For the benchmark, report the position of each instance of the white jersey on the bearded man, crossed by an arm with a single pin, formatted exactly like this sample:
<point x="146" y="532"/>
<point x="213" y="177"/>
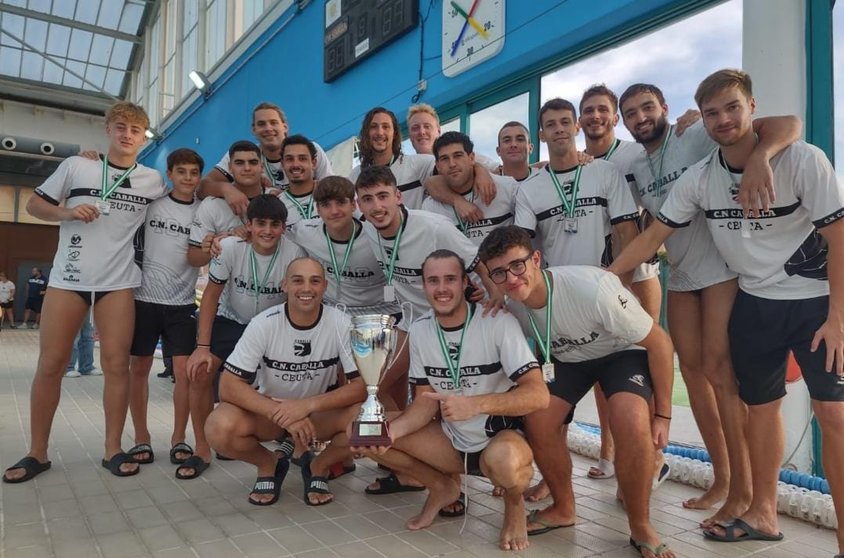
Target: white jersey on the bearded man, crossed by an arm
<point x="694" y="261"/>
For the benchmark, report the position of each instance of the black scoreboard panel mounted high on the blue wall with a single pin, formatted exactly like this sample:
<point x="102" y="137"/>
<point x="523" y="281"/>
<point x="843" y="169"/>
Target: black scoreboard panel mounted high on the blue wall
<point x="355" y="29"/>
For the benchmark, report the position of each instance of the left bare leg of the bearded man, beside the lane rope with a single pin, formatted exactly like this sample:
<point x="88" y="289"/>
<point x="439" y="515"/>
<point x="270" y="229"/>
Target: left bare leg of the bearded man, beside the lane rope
<point x="685" y="325"/>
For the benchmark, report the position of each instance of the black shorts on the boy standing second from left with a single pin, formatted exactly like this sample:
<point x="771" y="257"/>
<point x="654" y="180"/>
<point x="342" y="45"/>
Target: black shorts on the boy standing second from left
<point x="176" y="325"/>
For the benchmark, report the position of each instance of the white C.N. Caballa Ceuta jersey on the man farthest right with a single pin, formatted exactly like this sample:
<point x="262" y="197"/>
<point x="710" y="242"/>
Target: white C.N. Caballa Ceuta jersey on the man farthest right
<point x="780" y="255"/>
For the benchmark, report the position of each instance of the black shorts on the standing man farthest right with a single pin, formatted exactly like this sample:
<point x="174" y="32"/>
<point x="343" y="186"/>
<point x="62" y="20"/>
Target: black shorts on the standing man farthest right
<point x="762" y="331"/>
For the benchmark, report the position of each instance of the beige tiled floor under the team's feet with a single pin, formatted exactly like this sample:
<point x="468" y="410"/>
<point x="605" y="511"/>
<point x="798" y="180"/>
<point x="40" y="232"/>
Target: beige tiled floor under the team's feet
<point x="77" y="509"/>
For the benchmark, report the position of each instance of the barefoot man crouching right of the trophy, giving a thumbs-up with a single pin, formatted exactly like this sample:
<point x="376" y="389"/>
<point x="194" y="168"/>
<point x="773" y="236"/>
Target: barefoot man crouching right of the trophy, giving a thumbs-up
<point x="478" y="375"/>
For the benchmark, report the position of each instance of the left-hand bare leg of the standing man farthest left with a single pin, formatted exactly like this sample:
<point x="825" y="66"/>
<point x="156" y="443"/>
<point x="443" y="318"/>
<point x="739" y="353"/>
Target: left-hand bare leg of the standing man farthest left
<point x="64" y="310"/>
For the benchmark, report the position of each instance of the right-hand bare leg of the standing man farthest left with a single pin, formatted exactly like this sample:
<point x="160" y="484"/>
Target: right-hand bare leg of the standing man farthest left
<point x="115" y="318"/>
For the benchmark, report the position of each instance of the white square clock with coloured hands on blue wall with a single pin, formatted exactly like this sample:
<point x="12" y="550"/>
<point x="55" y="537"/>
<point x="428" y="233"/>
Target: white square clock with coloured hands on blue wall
<point x="473" y="31"/>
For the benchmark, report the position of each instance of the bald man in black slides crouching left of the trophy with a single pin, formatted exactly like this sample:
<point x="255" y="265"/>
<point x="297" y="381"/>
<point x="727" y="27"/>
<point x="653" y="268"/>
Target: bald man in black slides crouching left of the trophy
<point x="282" y="378"/>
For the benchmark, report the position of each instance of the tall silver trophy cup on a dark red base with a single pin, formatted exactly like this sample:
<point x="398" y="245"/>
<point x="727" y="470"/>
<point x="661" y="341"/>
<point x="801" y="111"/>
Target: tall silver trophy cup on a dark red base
<point x="373" y="340"/>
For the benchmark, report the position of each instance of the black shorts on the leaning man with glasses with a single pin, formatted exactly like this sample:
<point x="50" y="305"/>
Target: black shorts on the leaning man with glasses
<point x="624" y="371"/>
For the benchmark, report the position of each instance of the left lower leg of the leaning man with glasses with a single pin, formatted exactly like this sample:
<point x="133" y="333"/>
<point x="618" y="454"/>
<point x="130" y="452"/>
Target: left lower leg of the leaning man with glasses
<point x="547" y="439"/>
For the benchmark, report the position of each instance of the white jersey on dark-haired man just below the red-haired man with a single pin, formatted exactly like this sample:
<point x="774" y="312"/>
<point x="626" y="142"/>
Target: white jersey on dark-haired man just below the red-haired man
<point x="499" y="213"/>
